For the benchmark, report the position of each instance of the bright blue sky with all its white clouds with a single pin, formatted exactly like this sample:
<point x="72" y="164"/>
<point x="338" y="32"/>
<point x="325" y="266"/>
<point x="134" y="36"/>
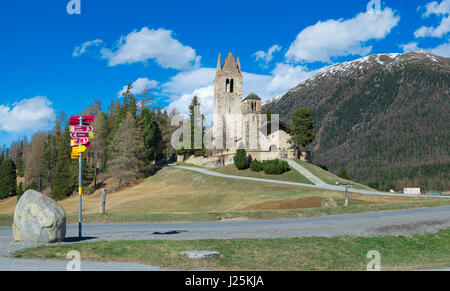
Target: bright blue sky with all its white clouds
<point x="52" y="61"/>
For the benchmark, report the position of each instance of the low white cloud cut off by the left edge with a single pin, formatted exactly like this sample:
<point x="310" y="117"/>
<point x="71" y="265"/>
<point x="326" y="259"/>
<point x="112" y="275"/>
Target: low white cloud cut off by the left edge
<point x="28" y="115"/>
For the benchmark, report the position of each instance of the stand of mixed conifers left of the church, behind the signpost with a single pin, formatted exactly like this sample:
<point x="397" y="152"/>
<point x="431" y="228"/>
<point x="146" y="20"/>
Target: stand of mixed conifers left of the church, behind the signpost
<point x="129" y="138"/>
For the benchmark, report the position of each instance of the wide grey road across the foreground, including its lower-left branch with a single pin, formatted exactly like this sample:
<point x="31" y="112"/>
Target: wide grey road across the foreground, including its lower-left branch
<point x="401" y="222"/>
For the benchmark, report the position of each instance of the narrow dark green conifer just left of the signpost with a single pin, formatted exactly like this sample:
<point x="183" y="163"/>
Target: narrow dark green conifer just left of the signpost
<point x="62" y="185"/>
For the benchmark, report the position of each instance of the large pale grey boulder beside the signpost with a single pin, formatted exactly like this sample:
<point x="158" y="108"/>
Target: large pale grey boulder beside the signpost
<point x="38" y="218"/>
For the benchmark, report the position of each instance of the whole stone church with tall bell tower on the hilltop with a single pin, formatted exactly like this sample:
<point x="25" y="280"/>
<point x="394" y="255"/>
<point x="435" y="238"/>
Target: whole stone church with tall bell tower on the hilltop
<point x="238" y="123"/>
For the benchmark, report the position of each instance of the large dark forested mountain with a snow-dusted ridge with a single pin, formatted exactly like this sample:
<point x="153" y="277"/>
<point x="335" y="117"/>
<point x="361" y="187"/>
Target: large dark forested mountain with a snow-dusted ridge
<point x="384" y="118"/>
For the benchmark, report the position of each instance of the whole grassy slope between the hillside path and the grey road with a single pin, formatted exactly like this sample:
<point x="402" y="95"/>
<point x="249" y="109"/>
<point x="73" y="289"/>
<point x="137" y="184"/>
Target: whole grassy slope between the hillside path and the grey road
<point x="180" y="195"/>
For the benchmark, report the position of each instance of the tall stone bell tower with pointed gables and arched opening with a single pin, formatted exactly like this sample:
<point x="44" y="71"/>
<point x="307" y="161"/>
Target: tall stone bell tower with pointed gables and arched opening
<point x="227" y="103"/>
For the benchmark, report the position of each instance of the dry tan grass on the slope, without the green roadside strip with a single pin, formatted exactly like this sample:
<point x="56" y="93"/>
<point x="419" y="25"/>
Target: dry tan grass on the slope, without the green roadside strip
<point x="179" y="191"/>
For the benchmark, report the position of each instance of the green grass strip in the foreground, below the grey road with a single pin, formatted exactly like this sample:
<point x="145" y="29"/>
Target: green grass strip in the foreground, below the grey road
<point x="430" y="251"/>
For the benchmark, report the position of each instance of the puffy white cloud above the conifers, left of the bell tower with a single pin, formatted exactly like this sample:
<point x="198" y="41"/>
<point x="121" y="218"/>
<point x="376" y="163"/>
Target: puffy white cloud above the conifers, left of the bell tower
<point x="159" y="45"/>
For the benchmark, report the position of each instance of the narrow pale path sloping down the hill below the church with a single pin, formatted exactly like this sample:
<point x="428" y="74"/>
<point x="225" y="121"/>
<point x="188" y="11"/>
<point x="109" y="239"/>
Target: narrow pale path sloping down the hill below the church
<point x="325" y="186"/>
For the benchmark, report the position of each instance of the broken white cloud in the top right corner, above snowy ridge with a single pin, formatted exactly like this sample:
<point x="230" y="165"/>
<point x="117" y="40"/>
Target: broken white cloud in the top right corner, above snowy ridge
<point x="433" y="8"/>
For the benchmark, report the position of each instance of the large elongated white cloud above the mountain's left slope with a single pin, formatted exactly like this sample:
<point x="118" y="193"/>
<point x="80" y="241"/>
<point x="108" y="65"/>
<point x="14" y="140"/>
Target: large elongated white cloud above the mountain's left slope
<point x="332" y="38"/>
